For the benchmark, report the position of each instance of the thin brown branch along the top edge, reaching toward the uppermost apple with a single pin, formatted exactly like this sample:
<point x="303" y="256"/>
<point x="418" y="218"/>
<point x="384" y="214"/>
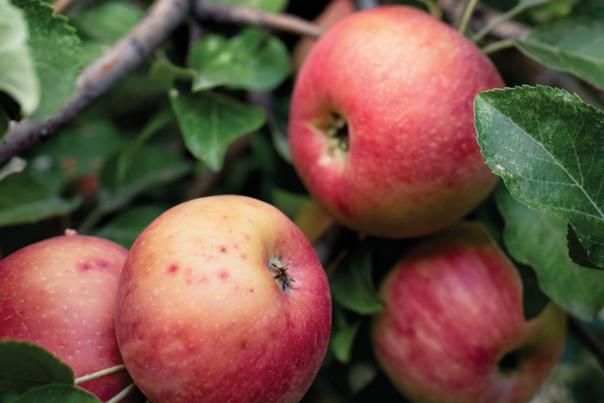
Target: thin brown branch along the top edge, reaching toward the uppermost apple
<point x="245" y="15"/>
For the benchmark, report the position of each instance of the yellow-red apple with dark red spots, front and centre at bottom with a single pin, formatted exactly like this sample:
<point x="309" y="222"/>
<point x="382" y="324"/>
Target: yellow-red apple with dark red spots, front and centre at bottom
<point x="200" y="317"/>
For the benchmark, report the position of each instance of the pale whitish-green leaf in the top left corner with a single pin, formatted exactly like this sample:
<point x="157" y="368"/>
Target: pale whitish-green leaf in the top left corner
<point x="18" y="77"/>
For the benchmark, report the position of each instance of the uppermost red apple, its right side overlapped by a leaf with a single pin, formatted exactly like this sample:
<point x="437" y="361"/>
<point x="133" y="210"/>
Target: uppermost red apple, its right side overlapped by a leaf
<point x="404" y="83"/>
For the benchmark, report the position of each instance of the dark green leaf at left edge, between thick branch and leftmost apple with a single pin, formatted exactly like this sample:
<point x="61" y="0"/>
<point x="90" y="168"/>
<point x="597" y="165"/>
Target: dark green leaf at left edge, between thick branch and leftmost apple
<point x="23" y="199"/>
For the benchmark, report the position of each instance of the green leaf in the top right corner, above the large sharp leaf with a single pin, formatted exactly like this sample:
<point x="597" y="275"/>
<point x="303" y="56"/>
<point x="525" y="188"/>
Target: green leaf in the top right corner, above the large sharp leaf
<point x="572" y="44"/>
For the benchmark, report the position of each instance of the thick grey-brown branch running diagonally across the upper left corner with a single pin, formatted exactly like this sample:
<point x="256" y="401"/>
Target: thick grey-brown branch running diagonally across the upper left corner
<point x="101" y="75"/>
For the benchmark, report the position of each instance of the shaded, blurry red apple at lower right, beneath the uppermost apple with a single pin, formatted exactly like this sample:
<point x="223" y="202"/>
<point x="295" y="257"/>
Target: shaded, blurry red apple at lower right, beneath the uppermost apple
<point x="453" y="310"/>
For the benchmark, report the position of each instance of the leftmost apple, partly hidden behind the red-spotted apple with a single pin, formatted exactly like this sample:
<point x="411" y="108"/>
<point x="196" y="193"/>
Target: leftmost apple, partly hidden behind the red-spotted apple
<point x="60" y="293"/>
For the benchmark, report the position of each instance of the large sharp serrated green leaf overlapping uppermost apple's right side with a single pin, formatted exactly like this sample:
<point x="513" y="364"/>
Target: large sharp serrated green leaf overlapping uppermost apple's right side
<point x="547" y="145"/>
